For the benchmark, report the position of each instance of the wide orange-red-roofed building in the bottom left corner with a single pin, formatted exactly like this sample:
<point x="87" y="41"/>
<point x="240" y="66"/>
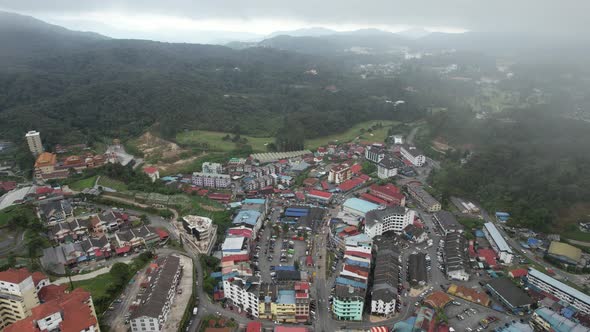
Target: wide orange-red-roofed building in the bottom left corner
<point x="61" y="311"/>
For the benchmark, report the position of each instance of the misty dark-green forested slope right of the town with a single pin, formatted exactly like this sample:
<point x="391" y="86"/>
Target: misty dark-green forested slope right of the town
<point x="533" y="164"/>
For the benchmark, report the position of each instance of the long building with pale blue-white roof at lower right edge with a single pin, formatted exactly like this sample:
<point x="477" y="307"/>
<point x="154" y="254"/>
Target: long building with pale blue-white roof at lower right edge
<point x="556" y="289"/>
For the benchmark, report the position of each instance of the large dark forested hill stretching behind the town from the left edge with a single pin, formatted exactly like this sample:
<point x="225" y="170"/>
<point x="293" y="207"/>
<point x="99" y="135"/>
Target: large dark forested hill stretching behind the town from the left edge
<point x="94" y="88"/>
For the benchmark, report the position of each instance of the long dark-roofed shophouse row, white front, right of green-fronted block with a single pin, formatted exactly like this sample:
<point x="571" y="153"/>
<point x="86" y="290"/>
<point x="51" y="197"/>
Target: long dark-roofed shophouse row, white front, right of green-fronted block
<point x="385" y="295"/>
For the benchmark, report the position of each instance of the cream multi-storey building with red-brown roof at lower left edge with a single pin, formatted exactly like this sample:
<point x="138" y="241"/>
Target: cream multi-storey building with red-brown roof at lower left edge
<point x="18" y="296"/>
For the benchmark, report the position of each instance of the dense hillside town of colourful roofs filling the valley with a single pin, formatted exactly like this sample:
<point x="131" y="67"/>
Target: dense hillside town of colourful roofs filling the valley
<point x="348" y="237"/>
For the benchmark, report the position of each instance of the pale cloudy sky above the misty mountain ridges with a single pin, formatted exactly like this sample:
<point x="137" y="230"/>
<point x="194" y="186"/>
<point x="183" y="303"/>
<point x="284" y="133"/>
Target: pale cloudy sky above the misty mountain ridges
<point x="211" y="20"/>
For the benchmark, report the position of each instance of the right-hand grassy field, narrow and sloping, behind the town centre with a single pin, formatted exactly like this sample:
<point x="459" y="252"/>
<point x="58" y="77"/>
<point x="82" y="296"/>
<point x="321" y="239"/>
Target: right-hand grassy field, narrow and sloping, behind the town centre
<point x="353" y="133"/>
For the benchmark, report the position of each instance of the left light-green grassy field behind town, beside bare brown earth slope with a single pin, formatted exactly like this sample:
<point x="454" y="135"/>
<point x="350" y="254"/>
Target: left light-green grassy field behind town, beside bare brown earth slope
<point x="216" y="143"/>
